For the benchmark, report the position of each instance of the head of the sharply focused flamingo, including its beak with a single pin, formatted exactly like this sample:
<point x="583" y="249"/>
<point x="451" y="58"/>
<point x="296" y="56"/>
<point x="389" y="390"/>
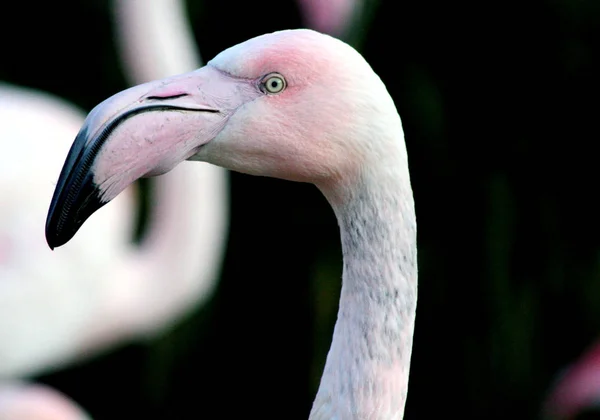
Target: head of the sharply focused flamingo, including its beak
<point x="295" y="104"/>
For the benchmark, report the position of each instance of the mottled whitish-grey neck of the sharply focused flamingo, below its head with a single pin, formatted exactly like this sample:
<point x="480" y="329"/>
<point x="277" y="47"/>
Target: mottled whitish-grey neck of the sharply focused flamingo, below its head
<point x="366" y="373"/>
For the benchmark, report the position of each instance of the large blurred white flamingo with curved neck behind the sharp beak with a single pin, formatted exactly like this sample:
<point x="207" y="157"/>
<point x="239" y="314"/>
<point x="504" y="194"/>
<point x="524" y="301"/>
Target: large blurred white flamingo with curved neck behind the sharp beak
<point x="57" y="308"/>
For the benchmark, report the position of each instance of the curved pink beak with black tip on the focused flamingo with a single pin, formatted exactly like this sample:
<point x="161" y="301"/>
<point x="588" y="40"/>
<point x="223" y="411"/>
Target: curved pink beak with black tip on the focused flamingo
<point x="142" y="131"/>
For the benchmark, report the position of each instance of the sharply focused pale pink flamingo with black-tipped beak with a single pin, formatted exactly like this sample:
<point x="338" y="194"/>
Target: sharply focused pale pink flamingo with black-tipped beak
<point x="301" y="106"/>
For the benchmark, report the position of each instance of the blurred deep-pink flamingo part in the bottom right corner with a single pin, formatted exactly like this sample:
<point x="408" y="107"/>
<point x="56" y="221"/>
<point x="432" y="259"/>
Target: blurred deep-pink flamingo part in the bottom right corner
<point x="577" y="389"/>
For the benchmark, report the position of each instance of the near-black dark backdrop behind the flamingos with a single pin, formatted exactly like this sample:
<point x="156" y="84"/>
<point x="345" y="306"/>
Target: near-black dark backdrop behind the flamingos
<point x="499" y="105"/>
